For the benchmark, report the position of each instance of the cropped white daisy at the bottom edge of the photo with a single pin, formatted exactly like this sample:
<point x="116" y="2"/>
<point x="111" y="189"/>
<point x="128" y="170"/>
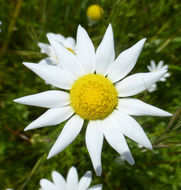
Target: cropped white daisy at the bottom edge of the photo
<point x="72" y="182"/>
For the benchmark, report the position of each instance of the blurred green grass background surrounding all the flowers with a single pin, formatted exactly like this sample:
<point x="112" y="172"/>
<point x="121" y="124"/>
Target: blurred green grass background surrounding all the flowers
<point x="23" y="154"/>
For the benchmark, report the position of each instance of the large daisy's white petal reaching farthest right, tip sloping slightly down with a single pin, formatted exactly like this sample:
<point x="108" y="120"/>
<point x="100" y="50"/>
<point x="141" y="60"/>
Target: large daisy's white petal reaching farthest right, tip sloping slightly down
<point x="136" y="107"/>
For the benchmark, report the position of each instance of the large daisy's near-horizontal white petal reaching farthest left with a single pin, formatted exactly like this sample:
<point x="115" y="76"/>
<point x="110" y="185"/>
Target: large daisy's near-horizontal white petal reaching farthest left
<point x="48" y="99"/>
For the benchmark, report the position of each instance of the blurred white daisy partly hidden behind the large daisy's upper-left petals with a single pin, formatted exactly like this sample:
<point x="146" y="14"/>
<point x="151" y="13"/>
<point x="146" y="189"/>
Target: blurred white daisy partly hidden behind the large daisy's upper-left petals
<point x="68" y="42"/>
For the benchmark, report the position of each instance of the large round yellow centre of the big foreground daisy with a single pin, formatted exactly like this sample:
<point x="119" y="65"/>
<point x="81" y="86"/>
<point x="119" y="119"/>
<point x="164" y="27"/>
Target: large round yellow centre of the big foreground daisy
<point x="93" y="97"/>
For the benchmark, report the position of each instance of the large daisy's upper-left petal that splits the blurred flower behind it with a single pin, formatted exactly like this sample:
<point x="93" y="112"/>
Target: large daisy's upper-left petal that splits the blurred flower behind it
<point x="66" y="59"/>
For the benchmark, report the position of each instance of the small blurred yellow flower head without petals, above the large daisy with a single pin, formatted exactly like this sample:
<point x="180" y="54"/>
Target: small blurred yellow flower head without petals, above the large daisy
<point x="94" y="12"/>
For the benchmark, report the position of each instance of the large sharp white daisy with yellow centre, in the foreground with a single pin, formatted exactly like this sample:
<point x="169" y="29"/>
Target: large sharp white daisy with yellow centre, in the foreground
<point x="97" y="92"/>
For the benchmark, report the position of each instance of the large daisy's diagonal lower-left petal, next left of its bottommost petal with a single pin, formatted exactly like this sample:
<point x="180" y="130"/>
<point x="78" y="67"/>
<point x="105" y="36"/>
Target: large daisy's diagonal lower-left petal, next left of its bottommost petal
<point x="70" y="131"/>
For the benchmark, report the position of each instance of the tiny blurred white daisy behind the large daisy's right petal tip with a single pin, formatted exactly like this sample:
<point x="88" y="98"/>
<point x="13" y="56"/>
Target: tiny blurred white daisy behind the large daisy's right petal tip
<point x="156" y="68"/>
